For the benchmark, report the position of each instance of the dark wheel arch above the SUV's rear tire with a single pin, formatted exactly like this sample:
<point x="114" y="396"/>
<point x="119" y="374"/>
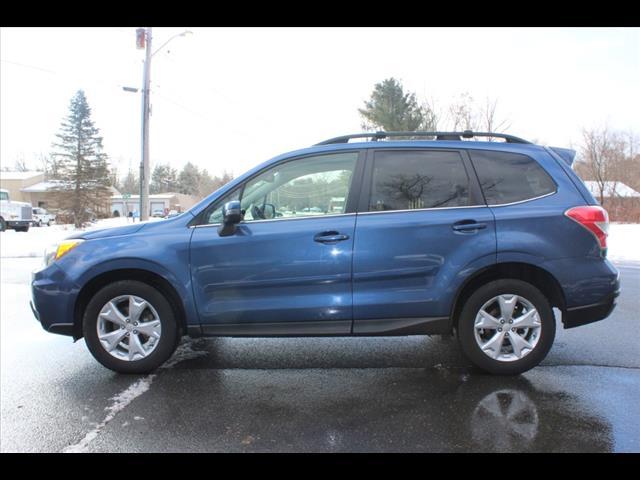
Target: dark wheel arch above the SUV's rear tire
<point x="540" y="278"/>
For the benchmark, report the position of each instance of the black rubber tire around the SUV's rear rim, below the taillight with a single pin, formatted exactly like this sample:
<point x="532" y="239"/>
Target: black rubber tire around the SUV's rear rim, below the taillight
<point x="466" y="330"/>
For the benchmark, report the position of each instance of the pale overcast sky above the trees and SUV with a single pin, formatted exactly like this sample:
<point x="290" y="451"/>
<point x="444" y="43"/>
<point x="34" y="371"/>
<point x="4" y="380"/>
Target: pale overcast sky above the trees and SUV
<point x="229" y="98"/>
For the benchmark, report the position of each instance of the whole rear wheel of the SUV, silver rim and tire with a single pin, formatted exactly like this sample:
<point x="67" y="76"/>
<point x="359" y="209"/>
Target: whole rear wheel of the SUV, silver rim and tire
<point x="506" y="327"/>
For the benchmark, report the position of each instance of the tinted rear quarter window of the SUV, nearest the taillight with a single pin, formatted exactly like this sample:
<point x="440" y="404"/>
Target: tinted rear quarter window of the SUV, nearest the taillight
<point x="510" y="177"/>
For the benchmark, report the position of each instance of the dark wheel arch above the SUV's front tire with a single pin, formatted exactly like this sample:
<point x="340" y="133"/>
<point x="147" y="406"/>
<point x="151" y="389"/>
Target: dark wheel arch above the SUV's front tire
<point x="101" y="280"/>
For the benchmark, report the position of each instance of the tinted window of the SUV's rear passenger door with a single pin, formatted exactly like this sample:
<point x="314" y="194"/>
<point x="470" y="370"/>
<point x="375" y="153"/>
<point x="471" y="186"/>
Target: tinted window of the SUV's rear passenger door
<point x="418" y="179"/>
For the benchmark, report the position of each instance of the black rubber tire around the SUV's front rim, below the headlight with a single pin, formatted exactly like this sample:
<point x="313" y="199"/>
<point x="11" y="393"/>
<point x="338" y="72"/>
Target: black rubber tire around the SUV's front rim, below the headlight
<point x="169" y="337"/>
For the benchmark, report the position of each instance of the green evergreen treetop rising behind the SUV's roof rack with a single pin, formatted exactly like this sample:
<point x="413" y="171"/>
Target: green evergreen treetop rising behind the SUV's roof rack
<point x="391" y="109"/>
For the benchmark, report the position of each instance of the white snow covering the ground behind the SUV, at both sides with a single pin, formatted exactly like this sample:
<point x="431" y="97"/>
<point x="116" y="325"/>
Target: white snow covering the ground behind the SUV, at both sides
<point x="624" y="239"/>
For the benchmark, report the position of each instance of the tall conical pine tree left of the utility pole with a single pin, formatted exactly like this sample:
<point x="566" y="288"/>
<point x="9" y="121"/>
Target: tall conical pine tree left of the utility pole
<point x="82" y="175"/>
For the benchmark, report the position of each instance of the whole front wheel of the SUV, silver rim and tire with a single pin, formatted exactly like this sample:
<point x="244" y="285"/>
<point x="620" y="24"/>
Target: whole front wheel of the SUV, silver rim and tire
<point x="130" y="327"/>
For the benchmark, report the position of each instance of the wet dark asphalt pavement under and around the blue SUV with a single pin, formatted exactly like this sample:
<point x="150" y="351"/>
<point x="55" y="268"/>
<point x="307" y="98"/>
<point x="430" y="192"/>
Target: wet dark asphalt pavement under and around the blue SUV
<point x="318" y="394"/>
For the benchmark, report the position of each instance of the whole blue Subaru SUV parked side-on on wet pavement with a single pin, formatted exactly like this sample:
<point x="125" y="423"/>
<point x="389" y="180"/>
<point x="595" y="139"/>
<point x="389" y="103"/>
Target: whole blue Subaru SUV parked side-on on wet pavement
<point x="432" y="233"/>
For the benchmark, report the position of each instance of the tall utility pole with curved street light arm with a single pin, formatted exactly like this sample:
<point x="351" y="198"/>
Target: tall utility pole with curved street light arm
<point x="143" y="40"/>
